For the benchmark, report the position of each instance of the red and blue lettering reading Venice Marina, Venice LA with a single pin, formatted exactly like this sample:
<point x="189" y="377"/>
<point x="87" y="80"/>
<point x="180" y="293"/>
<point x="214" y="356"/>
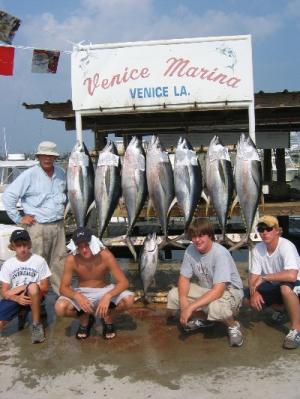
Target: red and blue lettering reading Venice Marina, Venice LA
<point x="175" y="67"/>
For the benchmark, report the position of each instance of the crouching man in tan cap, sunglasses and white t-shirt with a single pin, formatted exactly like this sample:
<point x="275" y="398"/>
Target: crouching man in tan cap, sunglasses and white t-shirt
<point x="274" y="276"/>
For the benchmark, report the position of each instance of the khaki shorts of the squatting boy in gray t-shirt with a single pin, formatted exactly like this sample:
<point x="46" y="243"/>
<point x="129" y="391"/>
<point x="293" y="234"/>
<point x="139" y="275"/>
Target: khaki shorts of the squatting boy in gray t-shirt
<point x="221" y="309"/>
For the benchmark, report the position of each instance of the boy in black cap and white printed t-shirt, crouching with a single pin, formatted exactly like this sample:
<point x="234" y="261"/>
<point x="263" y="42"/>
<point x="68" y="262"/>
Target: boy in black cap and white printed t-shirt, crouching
<point x="24" y="279"/>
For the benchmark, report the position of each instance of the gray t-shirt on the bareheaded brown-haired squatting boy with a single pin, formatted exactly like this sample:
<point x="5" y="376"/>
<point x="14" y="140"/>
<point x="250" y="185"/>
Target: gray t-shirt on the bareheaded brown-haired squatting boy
<point x="216" y="266"/>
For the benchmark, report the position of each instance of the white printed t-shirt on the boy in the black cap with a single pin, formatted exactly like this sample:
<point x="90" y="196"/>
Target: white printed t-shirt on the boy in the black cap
<point x="16" y="273"/>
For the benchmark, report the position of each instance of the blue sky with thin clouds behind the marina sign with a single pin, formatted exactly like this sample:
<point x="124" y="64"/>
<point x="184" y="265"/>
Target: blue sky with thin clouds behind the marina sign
<point x="57" y="25"/>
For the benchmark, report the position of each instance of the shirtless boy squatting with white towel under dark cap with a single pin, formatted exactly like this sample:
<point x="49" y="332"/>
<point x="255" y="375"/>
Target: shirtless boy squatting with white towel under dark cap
<point x="94" y="296"/>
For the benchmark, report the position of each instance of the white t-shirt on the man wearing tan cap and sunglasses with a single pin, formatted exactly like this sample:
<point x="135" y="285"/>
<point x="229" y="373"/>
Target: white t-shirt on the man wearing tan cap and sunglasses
<point x="285" y="257"/>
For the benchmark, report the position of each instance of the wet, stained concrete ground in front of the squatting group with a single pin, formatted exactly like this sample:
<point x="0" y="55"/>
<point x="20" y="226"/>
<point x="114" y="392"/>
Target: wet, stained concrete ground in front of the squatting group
<point x="150" y="358"/>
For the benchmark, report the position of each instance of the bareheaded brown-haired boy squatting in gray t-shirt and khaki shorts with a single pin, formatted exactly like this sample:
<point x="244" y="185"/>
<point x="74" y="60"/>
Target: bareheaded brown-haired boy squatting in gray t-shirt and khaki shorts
<point x="219" y="292"/>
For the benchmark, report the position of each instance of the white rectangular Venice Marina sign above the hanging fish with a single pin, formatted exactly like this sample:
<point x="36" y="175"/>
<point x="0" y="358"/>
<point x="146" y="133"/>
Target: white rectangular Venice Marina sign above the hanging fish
<point x="133" y="76"/>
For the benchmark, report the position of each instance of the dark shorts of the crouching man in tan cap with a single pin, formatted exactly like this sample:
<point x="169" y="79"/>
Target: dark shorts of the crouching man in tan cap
<point x="271" y="292"/>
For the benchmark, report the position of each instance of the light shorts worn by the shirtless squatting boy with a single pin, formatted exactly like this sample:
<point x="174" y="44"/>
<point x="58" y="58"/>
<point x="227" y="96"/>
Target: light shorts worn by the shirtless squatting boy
<point x="95" y="294"/>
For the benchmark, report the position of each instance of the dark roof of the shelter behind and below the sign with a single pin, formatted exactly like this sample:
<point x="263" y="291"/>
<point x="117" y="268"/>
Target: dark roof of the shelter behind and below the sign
<point x="274" y="112"/>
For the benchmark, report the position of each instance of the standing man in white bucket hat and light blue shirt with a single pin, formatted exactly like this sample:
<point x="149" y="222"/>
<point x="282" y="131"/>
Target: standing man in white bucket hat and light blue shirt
<point x="41" y="190"/>
